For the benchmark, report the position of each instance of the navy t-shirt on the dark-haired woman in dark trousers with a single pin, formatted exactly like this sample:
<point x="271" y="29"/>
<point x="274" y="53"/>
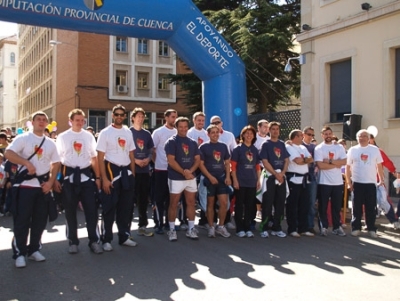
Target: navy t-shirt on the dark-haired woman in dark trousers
<point x="246" y="158"/>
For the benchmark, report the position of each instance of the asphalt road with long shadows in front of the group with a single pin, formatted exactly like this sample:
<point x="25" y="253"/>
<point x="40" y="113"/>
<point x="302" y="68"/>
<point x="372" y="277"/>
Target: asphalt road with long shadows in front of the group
<point x="319" y="268"/>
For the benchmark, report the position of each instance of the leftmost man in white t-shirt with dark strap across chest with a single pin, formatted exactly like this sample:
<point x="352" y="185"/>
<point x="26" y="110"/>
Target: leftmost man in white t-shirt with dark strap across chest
<point x="30" y="205"/>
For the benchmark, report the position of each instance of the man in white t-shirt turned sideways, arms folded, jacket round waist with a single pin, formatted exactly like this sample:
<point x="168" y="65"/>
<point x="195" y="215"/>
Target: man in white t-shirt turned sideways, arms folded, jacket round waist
<point x="297" y="177"/>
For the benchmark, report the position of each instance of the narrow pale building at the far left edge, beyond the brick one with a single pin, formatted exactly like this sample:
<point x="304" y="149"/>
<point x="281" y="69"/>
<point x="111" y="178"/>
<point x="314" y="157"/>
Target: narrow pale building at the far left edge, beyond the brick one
<point x="8" y="82"/>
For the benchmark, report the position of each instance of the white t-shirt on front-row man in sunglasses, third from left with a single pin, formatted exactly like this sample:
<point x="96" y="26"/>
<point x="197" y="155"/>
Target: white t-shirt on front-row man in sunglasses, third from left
<point x="116" y="144"/>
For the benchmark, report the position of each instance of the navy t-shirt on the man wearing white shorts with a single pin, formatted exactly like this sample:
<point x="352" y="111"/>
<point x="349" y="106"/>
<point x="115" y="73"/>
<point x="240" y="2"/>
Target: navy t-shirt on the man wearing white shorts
<point x="184" y="149"/>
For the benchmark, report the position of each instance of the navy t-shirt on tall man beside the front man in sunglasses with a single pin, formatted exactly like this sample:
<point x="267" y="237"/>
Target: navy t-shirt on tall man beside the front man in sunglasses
<point x="144" y="143"/>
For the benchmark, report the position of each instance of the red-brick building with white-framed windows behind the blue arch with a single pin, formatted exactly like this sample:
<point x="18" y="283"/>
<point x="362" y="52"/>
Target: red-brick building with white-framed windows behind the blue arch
<point x="95" y="72"/>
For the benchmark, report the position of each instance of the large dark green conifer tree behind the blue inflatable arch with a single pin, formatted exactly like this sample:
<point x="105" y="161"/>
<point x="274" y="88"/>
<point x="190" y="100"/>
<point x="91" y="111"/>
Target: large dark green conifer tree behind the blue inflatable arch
<point x="262" y="33"/>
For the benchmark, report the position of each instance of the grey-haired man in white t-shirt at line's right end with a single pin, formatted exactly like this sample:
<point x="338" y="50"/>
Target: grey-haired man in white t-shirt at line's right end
<point x="364" y="162"/>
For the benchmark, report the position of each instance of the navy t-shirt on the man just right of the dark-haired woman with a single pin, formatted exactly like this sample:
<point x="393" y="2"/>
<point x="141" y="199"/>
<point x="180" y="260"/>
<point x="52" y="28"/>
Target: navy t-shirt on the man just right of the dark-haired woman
<point x="275" y="152"/>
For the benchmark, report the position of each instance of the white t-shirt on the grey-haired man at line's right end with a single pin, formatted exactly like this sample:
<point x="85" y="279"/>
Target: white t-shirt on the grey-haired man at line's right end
<point x="363" y="161"/>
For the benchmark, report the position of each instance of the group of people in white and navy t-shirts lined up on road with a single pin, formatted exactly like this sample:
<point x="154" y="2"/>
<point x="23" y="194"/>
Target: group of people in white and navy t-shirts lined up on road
<point x="176" y="167"/>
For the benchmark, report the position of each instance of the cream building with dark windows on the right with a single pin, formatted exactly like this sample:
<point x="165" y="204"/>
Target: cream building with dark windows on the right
<point x="352" y="51"/>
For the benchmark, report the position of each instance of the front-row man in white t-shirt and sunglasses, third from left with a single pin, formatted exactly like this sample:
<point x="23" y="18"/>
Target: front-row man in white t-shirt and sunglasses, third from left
<point x="115" y="148"/>
